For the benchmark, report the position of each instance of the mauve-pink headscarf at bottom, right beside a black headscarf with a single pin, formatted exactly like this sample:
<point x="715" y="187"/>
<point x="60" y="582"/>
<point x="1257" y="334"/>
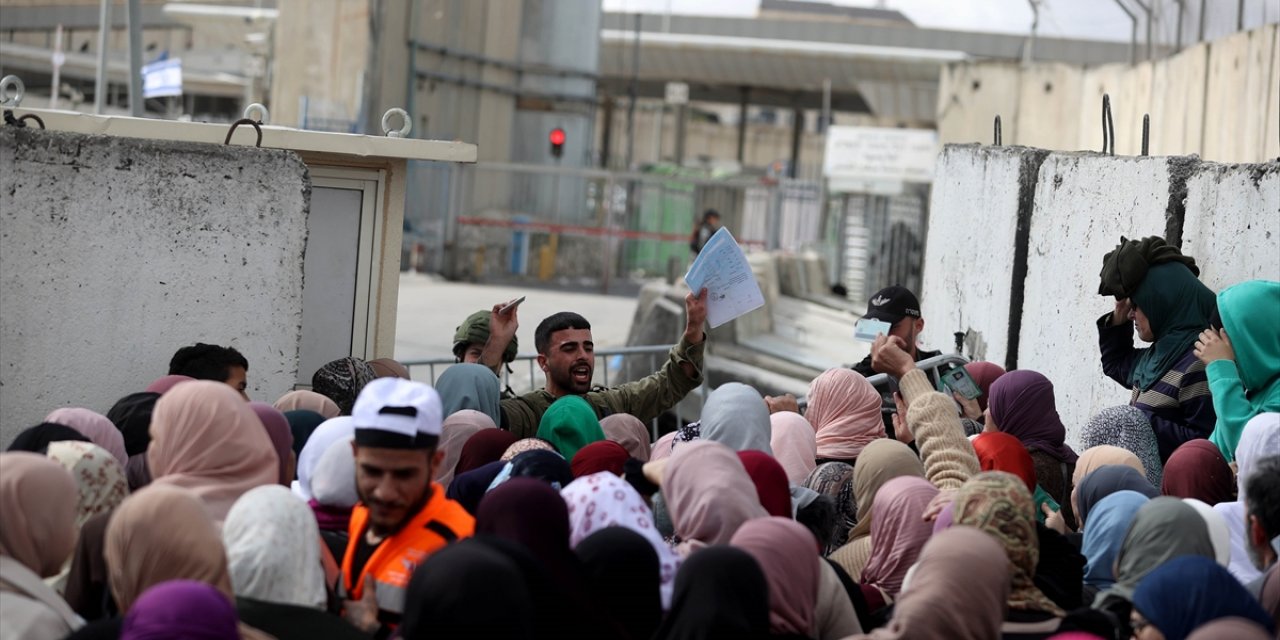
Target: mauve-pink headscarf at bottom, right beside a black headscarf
<point x="788" y="554"/>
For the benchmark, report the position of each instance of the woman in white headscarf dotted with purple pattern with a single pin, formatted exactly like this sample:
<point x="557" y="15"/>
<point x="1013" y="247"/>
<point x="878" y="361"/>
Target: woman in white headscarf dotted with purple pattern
<point x="601" y="501"/>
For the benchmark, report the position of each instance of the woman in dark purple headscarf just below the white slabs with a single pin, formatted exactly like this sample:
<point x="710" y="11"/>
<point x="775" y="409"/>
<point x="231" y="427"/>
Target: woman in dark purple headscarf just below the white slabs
<point x="1022" y="405"/>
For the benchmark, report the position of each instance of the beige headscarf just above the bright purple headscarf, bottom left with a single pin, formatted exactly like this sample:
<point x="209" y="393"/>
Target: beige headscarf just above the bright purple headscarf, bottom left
<point x="161" y="534"/>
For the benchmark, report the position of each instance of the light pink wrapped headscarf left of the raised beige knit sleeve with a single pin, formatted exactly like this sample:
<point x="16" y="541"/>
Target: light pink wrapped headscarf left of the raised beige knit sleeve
<point x="845" y="410"/>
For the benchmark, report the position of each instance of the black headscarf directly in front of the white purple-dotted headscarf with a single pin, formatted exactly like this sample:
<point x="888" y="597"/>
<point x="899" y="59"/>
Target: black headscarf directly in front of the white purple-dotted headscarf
<point x="624" y="575"/>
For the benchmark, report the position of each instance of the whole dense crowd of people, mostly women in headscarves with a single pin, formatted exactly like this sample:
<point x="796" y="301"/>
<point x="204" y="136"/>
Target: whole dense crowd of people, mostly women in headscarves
<point x="374" y="506"/>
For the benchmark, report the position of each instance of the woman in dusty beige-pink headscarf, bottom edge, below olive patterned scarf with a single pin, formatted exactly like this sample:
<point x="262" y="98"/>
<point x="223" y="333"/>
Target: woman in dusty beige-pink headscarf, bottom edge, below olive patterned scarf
<point x="958" y="591"/>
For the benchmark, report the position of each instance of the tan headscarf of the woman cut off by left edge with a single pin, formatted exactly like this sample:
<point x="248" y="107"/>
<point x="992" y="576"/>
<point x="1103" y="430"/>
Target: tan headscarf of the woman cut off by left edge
<point x="38" y="502"/>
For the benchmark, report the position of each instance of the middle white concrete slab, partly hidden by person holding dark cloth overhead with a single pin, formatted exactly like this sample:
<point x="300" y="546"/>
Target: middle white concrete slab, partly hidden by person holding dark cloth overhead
<point x="1084" y="204"/>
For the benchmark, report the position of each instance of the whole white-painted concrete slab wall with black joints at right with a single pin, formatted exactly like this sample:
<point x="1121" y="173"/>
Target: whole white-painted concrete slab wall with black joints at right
<point x="1017" y="239"/>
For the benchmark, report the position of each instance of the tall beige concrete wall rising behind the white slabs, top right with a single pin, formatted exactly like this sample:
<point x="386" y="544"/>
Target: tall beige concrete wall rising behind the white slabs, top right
<point x="1220" y="100"/>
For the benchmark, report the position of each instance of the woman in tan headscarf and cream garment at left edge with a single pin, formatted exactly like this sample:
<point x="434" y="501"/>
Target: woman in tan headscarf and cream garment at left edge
<point x="38" y="500"/>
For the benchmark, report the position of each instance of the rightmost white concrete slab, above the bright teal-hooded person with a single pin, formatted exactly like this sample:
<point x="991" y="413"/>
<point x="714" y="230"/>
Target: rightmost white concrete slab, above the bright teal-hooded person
<point x="1233" y="223"/>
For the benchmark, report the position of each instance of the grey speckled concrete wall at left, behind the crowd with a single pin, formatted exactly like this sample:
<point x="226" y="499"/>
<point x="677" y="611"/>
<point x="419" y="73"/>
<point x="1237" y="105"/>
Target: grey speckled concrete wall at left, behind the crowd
<point x="118" y="252"/>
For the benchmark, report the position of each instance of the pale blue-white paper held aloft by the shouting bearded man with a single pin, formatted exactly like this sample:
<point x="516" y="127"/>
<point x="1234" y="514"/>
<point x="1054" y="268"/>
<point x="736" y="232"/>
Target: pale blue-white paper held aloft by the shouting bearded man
<point x="724" y="271"/>
